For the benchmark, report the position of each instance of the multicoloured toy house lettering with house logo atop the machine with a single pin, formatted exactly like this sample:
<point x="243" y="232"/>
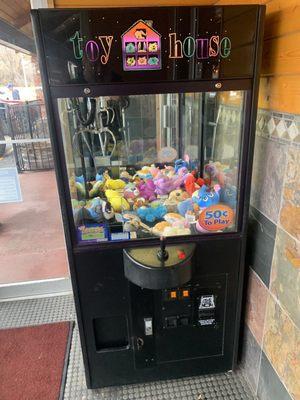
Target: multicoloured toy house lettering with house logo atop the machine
<point x="142" y="47"/>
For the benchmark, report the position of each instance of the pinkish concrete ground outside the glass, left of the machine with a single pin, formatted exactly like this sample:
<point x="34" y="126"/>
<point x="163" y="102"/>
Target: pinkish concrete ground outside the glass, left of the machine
<point x="31" y="251"/>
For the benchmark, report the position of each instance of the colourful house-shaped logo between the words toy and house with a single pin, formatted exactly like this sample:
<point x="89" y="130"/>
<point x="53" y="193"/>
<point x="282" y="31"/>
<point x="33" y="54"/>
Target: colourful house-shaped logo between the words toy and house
<point x="141" y="48"/>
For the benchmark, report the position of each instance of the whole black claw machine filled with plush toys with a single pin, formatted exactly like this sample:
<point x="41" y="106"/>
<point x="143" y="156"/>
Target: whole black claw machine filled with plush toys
<point x="152" y="116"/>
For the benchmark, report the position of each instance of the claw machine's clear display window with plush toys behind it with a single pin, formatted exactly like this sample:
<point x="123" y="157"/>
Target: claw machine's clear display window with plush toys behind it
<point x="142" y="166"/>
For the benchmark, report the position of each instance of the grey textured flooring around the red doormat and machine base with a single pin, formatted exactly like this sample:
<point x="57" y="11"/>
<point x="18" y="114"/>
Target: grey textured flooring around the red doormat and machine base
<point x="228" y="386"/>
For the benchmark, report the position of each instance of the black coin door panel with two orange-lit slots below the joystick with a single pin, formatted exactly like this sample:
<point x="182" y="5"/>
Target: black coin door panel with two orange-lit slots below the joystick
<point x="178" y="323"/>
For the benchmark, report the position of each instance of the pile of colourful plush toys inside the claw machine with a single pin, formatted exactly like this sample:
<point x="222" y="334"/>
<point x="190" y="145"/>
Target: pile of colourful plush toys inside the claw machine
<point x="161" y="201"/>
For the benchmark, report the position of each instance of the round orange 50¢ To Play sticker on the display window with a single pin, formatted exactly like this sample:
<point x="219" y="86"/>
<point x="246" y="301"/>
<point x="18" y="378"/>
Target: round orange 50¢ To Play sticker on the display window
<point x="216" y="217"/>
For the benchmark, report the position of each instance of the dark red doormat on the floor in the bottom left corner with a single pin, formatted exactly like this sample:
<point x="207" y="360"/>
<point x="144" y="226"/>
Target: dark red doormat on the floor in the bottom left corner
<point x="34" y="360"/>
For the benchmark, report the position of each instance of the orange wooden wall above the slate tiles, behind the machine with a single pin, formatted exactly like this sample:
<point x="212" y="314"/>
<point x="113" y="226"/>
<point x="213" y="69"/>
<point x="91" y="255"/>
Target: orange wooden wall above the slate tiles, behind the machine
<point x="280" y="82"/>
